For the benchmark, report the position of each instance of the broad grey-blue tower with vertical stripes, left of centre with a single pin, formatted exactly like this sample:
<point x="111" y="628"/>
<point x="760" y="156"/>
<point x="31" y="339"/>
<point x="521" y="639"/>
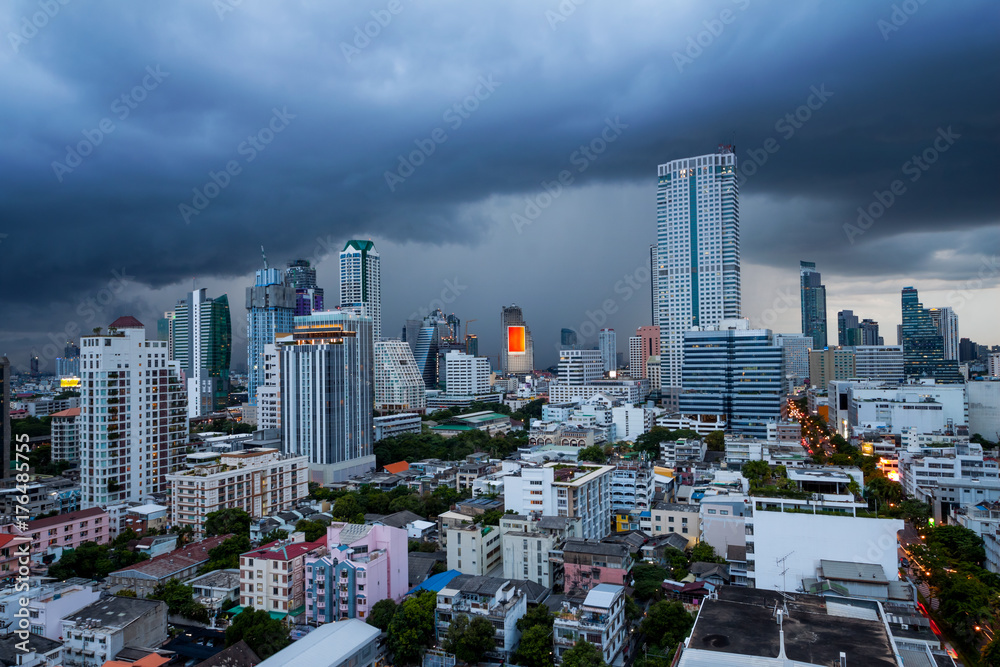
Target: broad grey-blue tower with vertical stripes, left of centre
<point x="328" y="393"/>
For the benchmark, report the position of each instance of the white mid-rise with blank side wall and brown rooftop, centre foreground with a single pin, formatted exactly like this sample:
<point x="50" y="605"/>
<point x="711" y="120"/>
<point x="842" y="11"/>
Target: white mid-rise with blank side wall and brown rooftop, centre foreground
<point x="574" y="491"/>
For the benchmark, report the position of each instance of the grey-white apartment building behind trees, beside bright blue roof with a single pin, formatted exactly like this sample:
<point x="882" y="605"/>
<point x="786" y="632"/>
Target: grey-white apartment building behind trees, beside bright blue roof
<point x="495" y="599"/>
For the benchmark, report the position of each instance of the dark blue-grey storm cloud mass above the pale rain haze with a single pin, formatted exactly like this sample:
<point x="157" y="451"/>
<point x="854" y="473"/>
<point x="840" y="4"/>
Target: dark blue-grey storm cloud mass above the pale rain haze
<point x="682" y="77"/>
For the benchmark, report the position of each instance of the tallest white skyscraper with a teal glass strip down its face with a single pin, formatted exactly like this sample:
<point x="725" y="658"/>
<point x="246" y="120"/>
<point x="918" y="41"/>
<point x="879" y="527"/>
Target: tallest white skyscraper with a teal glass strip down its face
<point x="698" y="252"/>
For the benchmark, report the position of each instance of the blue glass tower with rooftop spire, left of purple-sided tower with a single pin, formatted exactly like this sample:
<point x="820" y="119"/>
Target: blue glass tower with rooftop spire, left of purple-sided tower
<point x="270" y="311"/>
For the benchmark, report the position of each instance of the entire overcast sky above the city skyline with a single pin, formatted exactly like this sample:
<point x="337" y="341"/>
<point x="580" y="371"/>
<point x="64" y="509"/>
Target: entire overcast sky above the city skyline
<point x="148" y="147"/>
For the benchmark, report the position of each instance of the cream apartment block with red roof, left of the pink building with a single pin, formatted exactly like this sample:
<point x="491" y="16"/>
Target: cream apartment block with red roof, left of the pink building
<point x="272" y="578"/>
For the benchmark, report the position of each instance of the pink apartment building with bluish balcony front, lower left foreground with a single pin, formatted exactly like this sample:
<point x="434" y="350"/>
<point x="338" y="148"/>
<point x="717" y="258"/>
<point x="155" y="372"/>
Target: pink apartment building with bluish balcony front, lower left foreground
<point x="362" y="564"/>
